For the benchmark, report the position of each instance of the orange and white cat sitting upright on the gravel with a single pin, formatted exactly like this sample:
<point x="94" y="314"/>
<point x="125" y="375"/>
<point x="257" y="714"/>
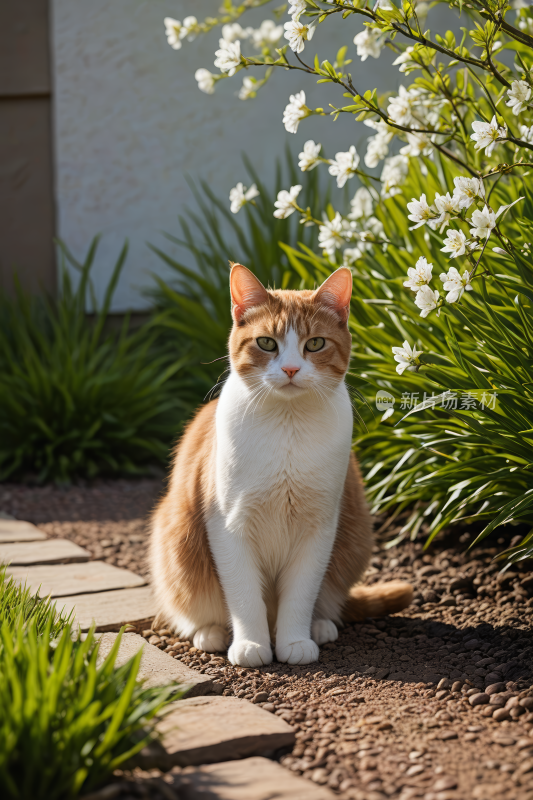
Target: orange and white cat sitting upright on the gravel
<point x="264" y="529"/>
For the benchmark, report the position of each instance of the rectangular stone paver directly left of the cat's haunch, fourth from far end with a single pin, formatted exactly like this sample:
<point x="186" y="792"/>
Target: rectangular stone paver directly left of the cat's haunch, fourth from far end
<point x="111" y="610"/>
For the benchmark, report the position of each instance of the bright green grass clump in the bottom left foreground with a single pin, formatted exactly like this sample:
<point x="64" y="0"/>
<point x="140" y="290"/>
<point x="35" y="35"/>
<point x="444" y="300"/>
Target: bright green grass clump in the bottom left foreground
<point x="67" y="723"/>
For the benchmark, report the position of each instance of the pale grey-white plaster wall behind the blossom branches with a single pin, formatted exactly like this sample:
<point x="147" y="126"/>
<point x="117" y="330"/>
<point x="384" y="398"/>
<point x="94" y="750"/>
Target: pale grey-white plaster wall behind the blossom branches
<point x="131" y="123"/>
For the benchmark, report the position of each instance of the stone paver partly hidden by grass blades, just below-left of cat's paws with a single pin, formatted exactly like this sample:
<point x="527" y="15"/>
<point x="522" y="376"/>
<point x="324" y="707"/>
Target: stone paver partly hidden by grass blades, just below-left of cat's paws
<point x="157" y="668"/>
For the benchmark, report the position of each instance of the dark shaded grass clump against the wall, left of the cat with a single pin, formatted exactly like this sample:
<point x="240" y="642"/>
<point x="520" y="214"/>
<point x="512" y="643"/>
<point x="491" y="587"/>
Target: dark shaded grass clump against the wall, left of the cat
<point x="77" y="399"/>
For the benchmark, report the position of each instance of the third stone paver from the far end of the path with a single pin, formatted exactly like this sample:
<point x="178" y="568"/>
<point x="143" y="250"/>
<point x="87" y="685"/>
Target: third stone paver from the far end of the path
<point x="74" y="579"/>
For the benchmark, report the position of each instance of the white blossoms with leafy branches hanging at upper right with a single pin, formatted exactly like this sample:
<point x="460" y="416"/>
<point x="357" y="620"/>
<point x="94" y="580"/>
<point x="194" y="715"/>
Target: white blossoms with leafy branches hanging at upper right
<point x="435" y="121"/>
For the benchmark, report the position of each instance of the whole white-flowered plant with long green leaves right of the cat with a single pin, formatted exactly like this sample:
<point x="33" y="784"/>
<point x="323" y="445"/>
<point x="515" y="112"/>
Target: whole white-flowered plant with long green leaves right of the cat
<point x="438" y="235"/>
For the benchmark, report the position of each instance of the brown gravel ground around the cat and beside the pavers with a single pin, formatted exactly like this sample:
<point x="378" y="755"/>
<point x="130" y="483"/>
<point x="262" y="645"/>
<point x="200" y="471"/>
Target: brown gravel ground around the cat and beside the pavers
<point x="434" y="703"/>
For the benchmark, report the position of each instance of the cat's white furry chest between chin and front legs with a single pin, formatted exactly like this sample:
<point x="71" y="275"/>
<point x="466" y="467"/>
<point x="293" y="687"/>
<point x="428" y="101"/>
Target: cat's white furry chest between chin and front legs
<point x="280" y="465"/>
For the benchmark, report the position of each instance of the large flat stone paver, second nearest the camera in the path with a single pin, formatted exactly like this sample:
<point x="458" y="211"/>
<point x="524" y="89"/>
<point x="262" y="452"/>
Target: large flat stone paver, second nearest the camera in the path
<point x="208" y="729"/>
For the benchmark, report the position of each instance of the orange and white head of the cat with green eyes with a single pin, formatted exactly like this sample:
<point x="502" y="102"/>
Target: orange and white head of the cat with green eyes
<point x="290" y="341"/>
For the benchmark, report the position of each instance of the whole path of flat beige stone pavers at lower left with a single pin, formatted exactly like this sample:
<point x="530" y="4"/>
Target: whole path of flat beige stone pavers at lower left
<point x="202" y="729"/>
